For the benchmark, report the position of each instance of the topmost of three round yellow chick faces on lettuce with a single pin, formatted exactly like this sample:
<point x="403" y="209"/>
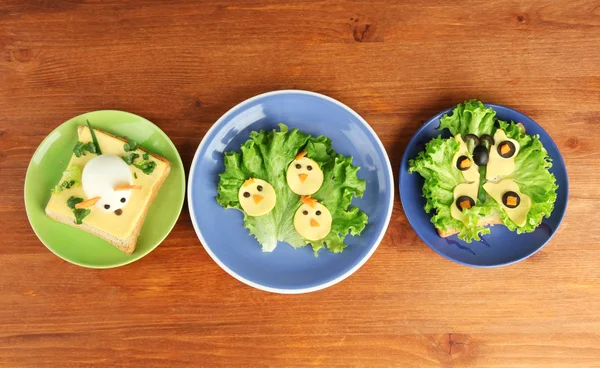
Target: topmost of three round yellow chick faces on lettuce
<point x="304" y="176"/>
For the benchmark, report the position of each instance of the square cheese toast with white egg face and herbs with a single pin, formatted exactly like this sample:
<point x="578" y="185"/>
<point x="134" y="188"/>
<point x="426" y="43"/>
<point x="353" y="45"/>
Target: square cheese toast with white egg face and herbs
<point x="108" y="187"/>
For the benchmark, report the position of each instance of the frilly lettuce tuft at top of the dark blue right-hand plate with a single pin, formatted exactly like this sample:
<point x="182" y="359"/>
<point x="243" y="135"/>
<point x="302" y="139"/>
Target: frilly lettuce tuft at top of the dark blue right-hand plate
<point x="472" y="117"/>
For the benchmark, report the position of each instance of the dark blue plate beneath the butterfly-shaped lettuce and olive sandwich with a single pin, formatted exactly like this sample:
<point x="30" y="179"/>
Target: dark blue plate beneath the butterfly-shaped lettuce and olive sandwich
<point x="501" y="247"/>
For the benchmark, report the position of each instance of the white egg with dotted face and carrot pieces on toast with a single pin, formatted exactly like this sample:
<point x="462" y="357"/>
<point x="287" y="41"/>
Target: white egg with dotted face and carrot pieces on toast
<point x="107" y="182"/>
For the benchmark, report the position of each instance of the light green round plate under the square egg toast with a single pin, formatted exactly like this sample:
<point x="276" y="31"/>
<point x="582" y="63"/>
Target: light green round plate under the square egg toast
<point x="50" y="160"/>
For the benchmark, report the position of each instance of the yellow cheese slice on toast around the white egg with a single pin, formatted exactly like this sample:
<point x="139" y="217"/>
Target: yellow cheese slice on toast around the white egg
<point x="119" y="226"/>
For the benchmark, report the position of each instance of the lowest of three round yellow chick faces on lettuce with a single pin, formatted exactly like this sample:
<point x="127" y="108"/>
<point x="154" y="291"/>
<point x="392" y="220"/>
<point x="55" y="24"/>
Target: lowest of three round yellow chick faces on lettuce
<point x="312" y="220"/>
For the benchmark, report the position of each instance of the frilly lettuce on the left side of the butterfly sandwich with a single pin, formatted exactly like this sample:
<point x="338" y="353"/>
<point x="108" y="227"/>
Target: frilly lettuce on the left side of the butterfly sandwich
<point x="436" y="167"/>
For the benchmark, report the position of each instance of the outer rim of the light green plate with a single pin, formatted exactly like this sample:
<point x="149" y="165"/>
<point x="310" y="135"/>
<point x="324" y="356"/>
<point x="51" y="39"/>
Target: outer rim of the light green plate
<point x="129" y="261"/>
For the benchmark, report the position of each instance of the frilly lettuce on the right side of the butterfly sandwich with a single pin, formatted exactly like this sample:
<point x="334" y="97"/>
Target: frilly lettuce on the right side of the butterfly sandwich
<point x="533" y="177"/>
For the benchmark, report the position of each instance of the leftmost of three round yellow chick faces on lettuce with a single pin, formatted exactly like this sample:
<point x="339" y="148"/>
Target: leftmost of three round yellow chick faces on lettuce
<point x="257" y="197"/>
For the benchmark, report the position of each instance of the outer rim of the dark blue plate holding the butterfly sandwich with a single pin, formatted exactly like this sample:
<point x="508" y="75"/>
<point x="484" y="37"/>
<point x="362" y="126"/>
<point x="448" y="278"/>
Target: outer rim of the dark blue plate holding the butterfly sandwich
<point x="404" y="171"/>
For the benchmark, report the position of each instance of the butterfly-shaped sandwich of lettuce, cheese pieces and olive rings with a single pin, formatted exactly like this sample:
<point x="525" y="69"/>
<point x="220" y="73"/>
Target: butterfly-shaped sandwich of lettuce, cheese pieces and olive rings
<point x="489" y="172"/>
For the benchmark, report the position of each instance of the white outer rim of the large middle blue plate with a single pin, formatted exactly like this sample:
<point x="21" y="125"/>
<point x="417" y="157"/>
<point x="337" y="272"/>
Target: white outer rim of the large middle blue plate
<point x="284" y="290"/>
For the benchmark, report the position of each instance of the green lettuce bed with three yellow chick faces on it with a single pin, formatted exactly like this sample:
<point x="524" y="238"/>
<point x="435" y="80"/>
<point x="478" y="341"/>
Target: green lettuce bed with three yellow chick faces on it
<point x="293" y="188"/>
